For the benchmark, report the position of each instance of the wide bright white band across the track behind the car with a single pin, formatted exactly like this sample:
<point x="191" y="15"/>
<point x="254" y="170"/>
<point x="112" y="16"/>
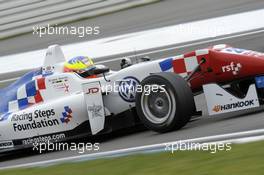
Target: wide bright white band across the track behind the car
<point x="149" y="39"/>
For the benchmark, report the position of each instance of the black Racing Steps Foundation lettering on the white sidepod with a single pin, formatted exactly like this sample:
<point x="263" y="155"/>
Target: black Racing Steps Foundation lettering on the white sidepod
<point x="34" y="120"/>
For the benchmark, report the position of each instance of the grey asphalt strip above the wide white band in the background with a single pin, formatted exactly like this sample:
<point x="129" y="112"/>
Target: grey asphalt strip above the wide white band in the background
<point x="164" y="13"/>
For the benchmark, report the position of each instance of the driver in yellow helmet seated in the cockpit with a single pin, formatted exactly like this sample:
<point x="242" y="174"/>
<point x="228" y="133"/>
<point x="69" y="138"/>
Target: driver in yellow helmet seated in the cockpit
<point x="82" y="65"/>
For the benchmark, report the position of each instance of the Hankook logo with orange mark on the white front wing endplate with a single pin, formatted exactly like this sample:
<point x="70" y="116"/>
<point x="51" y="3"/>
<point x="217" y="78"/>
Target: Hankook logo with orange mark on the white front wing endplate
<point x="240" y="104"/>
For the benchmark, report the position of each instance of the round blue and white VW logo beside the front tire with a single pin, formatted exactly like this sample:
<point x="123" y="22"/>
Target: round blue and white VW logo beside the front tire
<point x="127" y="88"/>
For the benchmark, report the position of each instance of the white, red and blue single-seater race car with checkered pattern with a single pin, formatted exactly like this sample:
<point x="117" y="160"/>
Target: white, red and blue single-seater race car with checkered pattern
<point x="63" y="99"/>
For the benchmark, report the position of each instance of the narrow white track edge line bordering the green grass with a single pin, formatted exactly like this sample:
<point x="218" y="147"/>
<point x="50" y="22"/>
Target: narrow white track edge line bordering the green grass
<point x="237" y="137"/>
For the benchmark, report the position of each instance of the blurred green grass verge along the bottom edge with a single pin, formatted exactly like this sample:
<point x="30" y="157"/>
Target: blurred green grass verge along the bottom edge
<point x="242" y="159"/>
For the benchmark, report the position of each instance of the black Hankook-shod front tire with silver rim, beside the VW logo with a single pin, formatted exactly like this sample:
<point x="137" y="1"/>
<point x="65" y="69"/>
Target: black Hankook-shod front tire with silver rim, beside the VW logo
<point x="170" y="107"/>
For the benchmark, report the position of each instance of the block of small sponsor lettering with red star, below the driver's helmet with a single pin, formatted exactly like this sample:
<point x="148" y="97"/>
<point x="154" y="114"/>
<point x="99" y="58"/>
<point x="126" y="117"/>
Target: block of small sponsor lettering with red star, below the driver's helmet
<point x="60" y="84"/>
